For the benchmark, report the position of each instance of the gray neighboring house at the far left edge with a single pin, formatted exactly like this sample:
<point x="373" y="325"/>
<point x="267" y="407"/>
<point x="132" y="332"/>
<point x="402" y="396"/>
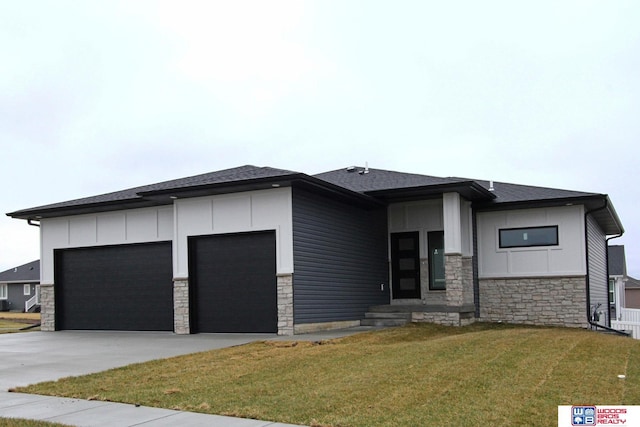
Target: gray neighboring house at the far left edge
<point x="20" y="285"/>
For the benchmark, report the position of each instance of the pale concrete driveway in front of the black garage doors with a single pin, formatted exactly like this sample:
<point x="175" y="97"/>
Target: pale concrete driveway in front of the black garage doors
<point x="33" y="357"/>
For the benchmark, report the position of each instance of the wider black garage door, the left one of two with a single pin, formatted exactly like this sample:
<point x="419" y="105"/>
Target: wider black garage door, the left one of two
<point x="126" y="288"/>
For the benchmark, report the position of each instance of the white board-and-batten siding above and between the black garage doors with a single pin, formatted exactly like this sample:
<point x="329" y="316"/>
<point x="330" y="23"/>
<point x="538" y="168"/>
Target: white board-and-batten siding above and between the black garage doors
<point x="241" y="212"/>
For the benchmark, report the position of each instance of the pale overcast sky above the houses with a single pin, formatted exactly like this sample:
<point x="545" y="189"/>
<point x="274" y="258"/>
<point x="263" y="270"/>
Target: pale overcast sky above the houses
<point x="99" y="96"/>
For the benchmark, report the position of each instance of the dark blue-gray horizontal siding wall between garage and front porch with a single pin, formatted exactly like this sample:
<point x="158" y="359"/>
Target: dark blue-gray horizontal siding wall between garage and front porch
<point x="340" y="259"/>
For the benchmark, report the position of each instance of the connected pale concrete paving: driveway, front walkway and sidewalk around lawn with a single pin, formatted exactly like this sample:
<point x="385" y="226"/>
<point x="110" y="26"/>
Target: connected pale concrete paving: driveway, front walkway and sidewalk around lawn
<point x="32" y="357"/>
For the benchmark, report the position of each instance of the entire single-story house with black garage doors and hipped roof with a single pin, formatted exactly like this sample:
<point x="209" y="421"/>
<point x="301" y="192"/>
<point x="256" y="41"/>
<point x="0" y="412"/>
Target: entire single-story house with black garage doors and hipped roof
<point x="258" y="249"/>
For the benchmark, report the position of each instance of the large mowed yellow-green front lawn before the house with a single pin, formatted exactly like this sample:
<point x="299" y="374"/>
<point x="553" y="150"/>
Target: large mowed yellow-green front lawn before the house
<point x="483" y="374"/>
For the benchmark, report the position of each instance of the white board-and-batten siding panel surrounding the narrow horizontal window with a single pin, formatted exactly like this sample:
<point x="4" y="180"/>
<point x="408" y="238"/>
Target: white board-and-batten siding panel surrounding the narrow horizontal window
<point x="565" y="259"/>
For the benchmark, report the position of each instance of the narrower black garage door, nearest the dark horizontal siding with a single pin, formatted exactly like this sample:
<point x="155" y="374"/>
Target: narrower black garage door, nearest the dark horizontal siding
<point x="233" y="282"/>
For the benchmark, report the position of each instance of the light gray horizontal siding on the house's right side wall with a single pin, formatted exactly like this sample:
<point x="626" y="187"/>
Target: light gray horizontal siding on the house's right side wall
<point x="597" y="258"/>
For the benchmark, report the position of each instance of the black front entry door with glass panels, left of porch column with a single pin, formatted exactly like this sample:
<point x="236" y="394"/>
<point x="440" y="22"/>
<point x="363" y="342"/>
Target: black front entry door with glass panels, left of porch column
<point x="405" y="265"/>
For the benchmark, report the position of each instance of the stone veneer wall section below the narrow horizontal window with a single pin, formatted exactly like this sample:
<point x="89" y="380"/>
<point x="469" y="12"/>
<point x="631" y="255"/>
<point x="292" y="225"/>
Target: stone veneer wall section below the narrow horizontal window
<point x="557" y="301"/>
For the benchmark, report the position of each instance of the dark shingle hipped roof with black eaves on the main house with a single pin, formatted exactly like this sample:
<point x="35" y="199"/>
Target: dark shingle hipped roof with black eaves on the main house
<point x="357" y="184"/>
